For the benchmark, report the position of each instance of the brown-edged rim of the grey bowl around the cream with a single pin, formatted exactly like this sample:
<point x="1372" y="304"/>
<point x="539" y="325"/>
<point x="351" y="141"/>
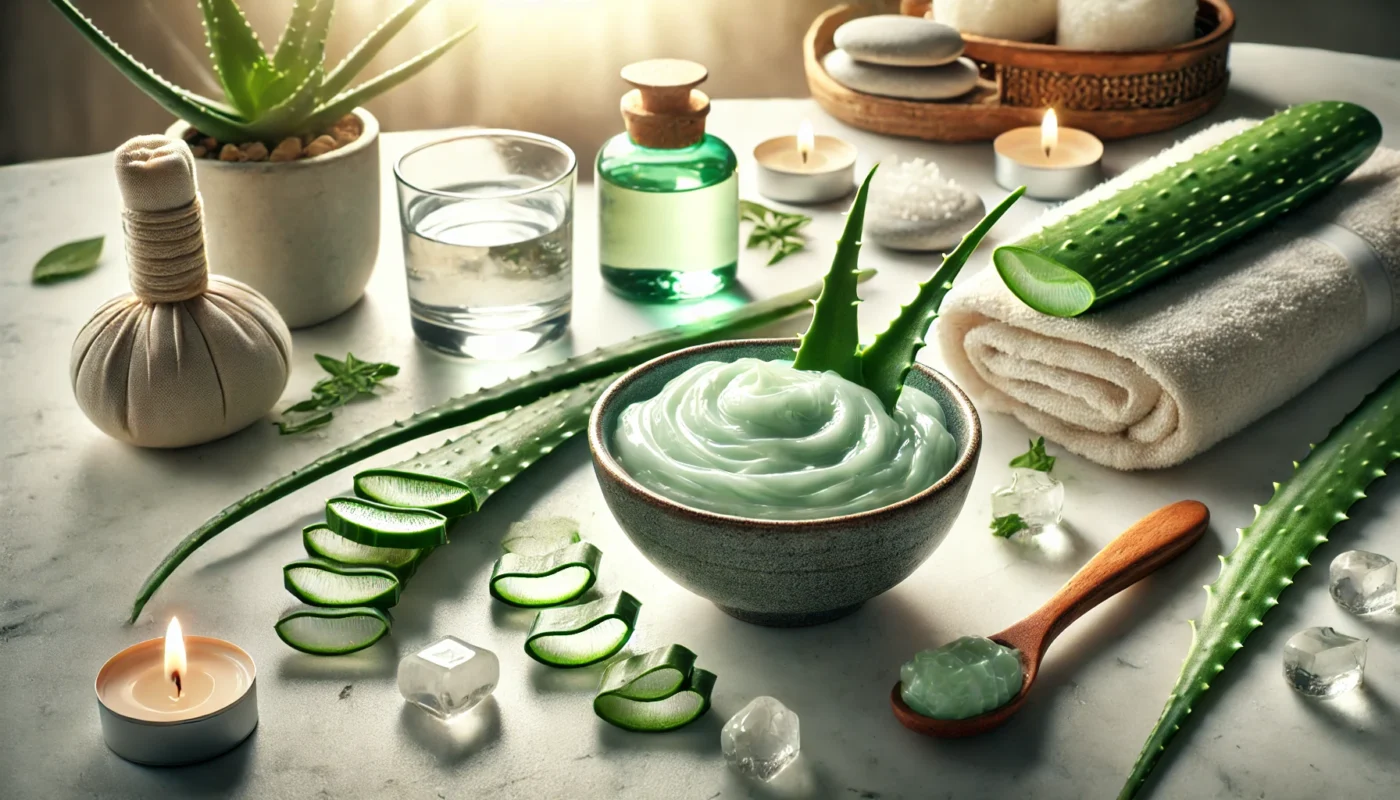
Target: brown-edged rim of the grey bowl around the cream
<point x="605" y="460"/>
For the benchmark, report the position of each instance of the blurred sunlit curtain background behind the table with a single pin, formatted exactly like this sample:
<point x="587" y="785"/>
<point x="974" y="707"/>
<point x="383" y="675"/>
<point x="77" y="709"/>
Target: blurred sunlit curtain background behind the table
<point x="548" y="67"/>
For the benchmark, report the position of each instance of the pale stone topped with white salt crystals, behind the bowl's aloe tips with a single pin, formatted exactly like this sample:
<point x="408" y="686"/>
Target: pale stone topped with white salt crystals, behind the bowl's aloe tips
<point x="912" y="207"/>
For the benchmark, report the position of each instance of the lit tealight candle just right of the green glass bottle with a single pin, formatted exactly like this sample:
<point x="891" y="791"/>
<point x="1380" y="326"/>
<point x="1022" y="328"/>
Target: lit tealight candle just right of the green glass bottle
<point x="806" y="169"/>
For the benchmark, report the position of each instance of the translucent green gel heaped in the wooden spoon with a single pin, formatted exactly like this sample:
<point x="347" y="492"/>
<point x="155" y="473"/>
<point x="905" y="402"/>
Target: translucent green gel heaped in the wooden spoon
<point x="964" y="679"/>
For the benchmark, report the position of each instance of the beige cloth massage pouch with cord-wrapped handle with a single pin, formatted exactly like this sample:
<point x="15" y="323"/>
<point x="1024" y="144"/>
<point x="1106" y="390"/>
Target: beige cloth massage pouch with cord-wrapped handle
<point x="185" y="358"/>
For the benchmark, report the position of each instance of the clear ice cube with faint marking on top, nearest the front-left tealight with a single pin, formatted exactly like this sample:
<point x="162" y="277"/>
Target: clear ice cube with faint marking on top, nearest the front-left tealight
<point x="449" y="677"/>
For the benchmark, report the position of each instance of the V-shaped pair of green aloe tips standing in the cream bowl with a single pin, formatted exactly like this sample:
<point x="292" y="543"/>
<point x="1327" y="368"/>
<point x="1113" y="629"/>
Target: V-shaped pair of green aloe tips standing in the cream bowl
<point x="832" y="343"/>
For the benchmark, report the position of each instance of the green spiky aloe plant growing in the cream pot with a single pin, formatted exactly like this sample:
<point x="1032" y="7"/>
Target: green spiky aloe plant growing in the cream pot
<point x="269" y="97"/>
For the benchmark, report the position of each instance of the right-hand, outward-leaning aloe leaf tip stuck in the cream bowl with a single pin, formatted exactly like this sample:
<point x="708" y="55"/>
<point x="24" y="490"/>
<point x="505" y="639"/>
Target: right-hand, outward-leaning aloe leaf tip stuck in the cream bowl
<point x="885" y="364"/>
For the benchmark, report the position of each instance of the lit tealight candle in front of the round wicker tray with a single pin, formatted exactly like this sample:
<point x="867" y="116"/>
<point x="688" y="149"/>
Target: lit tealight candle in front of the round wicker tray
<point x="1052" y="163"/>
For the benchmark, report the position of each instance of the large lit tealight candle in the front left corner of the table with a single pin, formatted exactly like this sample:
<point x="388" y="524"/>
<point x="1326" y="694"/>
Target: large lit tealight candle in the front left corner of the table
<point x="180" y="700"/>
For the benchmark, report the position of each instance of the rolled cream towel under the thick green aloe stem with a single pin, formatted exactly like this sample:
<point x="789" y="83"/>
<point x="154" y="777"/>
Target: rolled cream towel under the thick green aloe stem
<point x="1168" y="373"/>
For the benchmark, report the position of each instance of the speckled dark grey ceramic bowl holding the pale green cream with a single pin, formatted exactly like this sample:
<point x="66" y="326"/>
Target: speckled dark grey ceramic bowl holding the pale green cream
<point x="782" y="574"/>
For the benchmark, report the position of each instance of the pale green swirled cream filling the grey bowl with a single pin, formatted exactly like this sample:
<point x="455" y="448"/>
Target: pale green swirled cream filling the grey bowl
<point x="759" y="439"/>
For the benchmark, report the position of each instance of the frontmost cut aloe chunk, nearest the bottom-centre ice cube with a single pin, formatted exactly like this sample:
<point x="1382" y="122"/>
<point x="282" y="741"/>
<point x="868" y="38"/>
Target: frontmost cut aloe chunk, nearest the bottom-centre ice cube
<point x="654" y="693"/>
